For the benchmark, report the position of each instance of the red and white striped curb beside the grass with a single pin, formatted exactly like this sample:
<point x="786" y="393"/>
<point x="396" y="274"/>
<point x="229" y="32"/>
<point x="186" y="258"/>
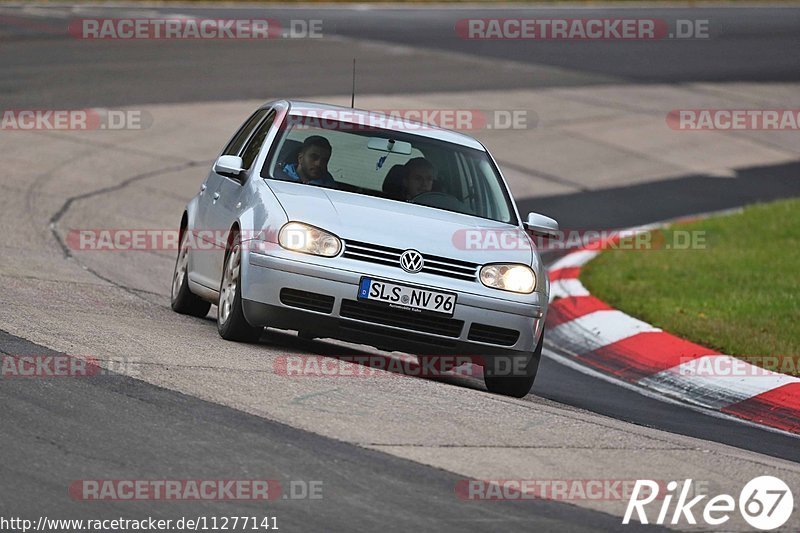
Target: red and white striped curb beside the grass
<point x="608" y="340"/>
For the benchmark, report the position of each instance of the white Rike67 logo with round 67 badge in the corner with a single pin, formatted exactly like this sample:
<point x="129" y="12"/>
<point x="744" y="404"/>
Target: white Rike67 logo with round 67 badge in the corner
<point x="765" y="503"/>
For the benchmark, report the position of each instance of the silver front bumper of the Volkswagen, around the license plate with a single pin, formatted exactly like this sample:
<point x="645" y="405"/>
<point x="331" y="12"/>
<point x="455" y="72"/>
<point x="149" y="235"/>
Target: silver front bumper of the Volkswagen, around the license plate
<point x="482" y="324"/>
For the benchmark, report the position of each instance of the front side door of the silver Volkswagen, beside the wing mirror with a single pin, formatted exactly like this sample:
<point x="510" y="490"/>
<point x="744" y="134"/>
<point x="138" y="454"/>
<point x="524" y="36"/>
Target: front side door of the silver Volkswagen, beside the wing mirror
<point x="232" y="195"/>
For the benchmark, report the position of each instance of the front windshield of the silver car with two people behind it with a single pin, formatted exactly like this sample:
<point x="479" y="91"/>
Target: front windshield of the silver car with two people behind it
<point x="392" y="164"/>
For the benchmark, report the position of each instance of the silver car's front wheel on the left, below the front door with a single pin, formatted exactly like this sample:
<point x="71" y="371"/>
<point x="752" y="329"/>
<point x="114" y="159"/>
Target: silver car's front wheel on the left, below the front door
<point x="231" y="323"/>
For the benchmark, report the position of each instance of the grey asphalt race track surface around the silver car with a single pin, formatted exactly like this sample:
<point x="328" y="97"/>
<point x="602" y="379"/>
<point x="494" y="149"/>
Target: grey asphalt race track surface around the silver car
<point x="389" y="451"/>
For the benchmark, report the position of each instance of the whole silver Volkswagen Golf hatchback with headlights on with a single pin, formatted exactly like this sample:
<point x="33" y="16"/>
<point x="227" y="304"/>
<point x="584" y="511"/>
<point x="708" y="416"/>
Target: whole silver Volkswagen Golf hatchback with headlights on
<point x="354" y="225"/>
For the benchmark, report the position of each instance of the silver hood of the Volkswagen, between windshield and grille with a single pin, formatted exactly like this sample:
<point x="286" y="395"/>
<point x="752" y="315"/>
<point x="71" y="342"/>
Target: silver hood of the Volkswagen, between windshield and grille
<point x="369" y="219"/>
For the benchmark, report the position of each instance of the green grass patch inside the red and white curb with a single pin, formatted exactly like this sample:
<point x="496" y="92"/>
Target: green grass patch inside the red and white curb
<point x="740" y="294"/>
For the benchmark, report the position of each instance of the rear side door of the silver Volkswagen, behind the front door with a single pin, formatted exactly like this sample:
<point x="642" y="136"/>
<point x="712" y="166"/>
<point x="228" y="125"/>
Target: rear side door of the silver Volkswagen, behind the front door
<point x="204" y="259"/>
